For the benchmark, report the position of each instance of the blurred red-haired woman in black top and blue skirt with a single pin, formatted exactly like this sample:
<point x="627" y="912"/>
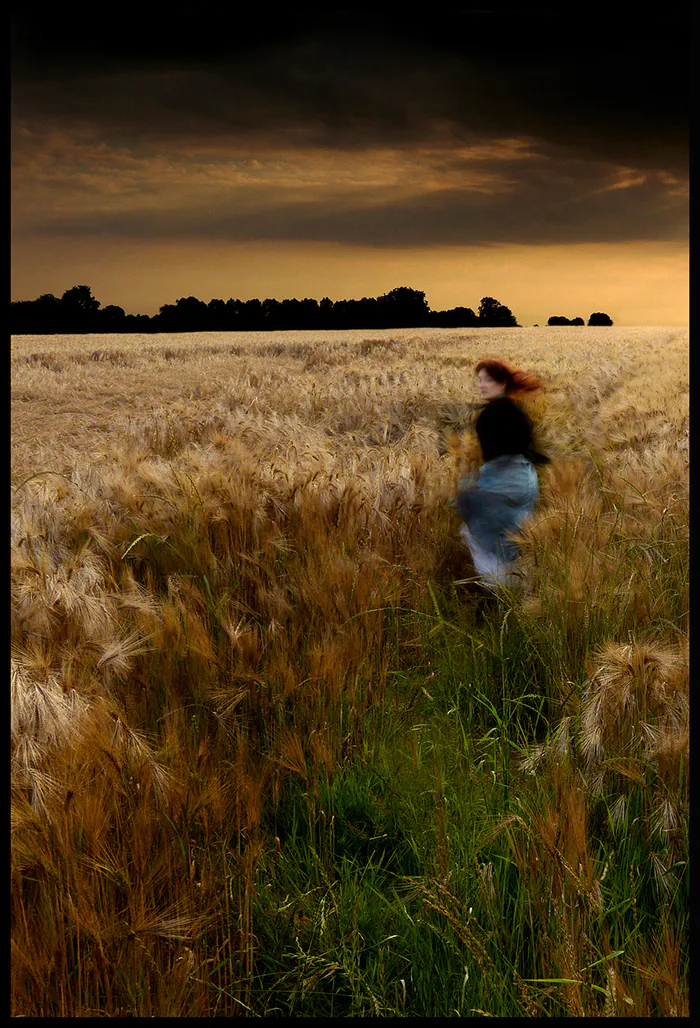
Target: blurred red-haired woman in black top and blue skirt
<point x="494" y="502"/>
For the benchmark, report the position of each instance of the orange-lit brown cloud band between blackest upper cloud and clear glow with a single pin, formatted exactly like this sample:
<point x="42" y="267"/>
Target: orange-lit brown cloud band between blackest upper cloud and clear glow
<point x="504" y="193"/>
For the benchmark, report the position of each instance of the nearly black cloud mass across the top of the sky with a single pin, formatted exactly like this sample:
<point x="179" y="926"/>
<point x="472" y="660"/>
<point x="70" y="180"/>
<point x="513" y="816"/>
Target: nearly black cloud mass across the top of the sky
<point x="614" y="87"/>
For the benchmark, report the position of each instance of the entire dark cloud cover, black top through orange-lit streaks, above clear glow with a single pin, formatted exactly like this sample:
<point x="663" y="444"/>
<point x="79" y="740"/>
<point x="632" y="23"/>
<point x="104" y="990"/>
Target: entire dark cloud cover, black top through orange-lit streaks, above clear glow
<point x="397" y="130"/>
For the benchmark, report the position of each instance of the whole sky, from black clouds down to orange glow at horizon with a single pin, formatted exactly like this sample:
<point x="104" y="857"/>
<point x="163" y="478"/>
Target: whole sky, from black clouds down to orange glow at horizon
<point x="518" y="153"/>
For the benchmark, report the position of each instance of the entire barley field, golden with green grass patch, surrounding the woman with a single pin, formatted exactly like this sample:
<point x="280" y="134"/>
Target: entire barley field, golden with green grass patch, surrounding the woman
<point x="272" y="752"/>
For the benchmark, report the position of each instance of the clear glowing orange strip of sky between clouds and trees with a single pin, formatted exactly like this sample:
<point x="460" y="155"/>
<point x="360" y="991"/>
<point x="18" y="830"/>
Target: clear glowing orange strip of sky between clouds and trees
<point x="636" y="284"/>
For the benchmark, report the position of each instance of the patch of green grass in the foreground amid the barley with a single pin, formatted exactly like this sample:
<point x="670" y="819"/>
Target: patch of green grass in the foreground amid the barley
<point x="395" y="892"/>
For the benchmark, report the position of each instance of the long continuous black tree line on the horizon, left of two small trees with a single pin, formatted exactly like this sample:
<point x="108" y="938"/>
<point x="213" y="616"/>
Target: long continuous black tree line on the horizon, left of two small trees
<point x="78" y="312"/>
